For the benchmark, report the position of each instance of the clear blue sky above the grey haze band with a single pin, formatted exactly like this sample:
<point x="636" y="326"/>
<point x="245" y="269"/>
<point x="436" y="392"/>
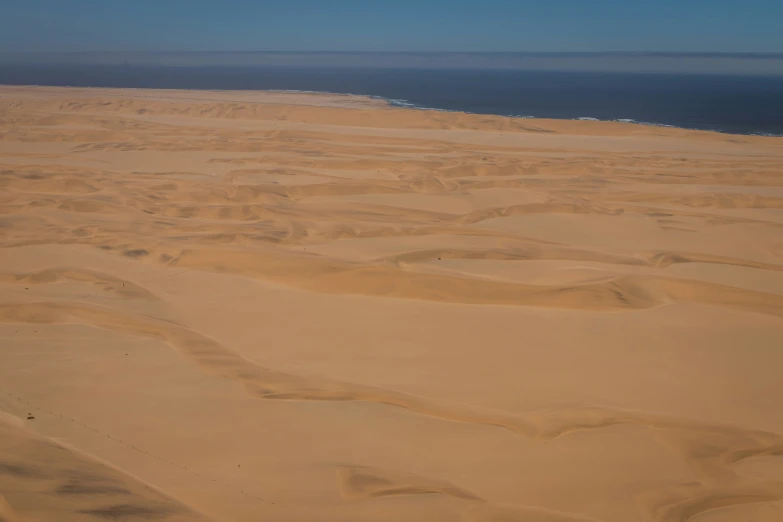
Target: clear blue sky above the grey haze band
<point x="386" y="25"/>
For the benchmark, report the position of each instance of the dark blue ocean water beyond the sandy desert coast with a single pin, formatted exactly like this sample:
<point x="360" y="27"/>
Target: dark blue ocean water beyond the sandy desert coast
<point x="735" y="104"/>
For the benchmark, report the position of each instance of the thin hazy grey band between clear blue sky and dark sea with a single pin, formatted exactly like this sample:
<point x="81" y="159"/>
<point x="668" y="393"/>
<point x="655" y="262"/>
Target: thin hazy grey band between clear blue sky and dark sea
<point x="619" y="61"/>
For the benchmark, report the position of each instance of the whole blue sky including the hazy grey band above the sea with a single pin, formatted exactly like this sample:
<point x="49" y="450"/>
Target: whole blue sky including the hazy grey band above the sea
<point x="659" y="36"/>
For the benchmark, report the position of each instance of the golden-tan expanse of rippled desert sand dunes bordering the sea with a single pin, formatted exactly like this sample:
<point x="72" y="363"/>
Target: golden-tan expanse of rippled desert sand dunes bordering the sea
<point x="237" y="306"/>
